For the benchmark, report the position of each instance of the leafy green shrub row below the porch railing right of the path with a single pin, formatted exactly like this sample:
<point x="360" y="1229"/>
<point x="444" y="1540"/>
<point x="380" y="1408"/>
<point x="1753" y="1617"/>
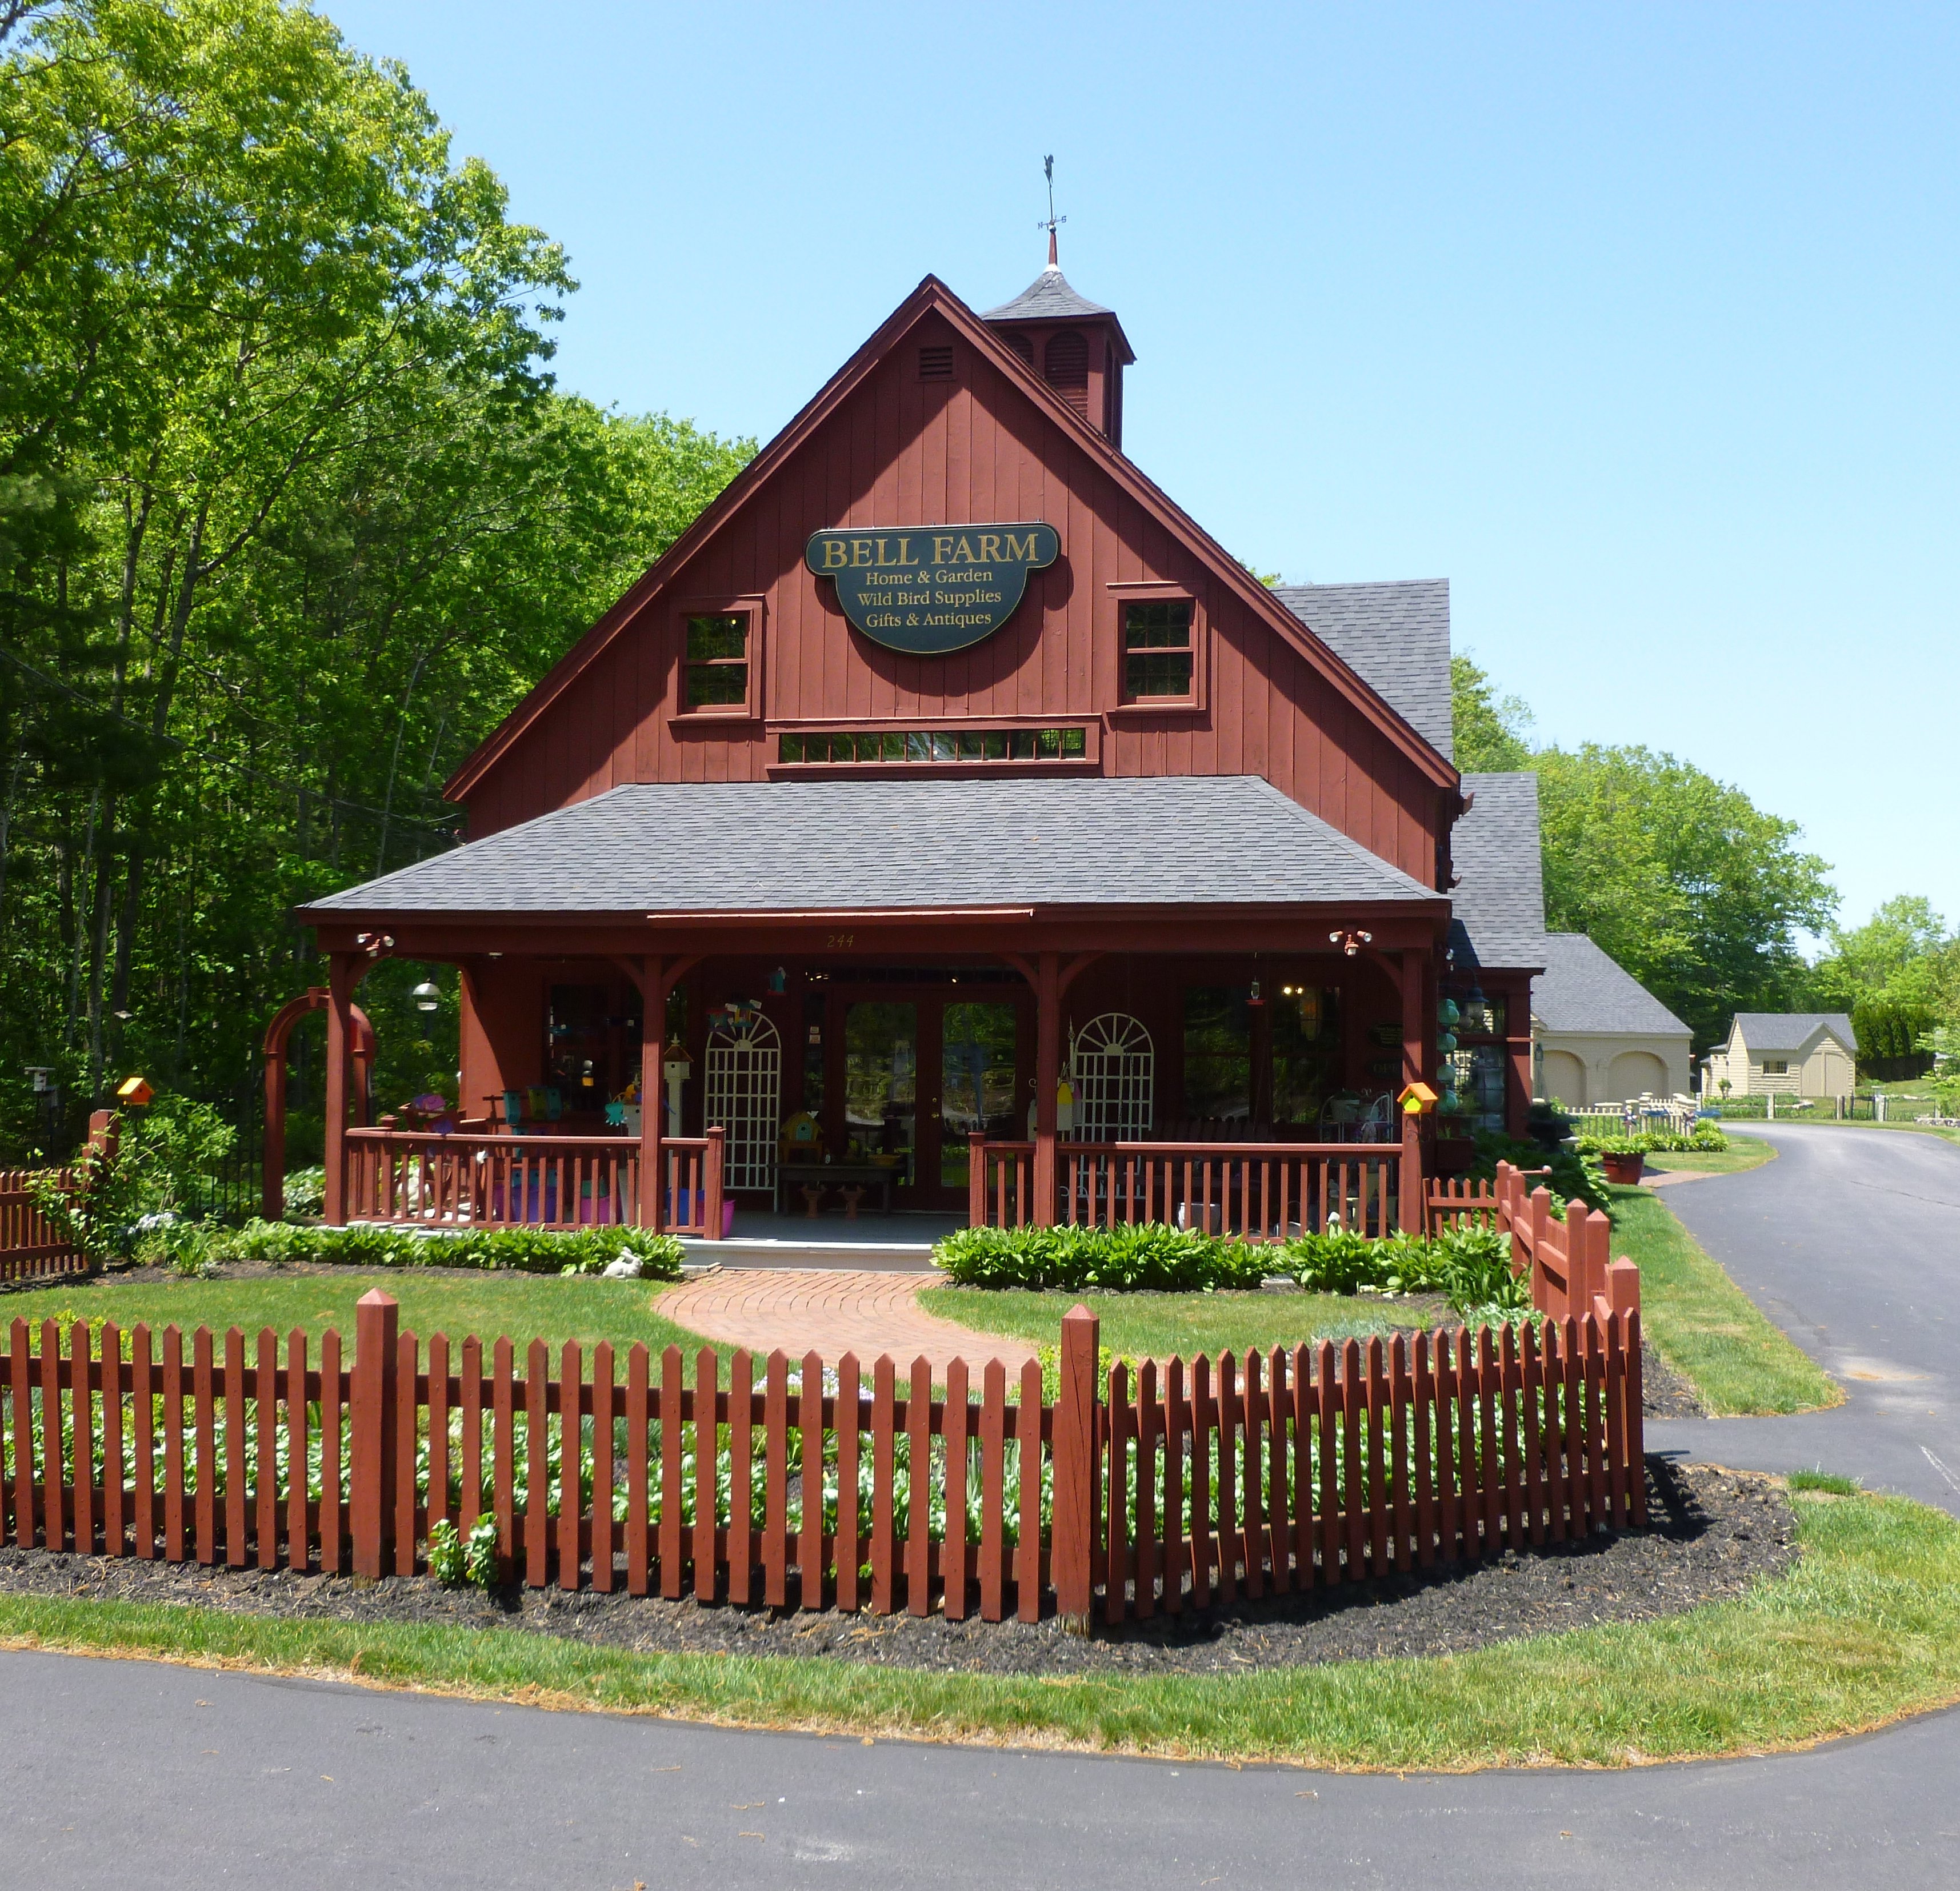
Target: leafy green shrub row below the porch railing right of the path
<point x="1471" y="1267"/>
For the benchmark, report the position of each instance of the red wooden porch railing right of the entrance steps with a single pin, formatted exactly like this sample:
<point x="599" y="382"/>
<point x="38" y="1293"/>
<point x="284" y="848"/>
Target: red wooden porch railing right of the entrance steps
<point x="1244" y="1190"/>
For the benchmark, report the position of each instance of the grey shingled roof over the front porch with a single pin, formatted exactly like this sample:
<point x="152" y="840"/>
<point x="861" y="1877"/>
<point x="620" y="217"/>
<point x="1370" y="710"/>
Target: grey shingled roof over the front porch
<point x="899" y="846"/>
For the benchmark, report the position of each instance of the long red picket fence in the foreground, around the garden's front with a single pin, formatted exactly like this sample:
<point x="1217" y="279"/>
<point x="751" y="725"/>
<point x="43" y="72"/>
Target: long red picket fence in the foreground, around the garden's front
<point x="1202" y="1486"/>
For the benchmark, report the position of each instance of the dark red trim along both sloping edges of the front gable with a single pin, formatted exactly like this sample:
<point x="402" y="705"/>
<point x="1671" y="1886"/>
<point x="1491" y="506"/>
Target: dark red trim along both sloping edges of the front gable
<point x="934" y="297"/>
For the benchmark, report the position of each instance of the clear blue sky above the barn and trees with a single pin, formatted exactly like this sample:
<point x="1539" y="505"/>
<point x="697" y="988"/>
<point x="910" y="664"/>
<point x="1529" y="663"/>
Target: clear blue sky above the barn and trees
<point x="1636" y="322"/>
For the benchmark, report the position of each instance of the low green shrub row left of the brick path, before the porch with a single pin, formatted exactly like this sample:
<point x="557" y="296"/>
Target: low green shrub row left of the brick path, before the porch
<point x="524" y="1251"/>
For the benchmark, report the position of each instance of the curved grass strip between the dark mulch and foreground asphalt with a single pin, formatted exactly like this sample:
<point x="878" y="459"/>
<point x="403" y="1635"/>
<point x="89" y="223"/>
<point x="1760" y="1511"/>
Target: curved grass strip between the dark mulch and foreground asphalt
<point x="1863" y="1631"/>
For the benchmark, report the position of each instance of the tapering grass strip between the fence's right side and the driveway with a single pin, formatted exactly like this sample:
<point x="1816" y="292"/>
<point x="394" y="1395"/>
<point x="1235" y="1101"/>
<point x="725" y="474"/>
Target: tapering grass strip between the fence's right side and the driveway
<point x="1706" y="1326"/>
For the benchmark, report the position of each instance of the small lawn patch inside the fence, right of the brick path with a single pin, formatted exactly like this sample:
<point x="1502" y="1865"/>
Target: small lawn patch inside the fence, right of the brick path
<point x="1159" y="1326"/>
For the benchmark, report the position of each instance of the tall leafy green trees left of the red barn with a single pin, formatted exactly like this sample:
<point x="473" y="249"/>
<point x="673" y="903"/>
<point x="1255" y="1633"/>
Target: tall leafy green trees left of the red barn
<point x="291" y="512"/>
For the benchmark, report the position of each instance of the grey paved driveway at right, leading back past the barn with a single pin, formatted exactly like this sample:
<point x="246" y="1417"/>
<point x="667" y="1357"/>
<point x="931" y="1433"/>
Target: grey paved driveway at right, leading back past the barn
<point x="1851" y="1243"/>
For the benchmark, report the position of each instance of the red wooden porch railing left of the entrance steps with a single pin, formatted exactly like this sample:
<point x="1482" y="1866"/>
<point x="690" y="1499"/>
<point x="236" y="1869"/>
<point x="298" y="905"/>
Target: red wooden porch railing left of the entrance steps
<point x="546" y="1183"/>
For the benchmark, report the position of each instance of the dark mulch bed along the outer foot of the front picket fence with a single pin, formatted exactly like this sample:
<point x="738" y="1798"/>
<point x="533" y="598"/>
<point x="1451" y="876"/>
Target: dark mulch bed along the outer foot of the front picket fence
<point x="1712" y="1535"/>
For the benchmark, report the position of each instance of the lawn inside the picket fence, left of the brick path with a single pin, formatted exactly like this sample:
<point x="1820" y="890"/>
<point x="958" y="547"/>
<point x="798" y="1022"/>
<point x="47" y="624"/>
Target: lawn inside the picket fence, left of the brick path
<point x="522" y="1306"/>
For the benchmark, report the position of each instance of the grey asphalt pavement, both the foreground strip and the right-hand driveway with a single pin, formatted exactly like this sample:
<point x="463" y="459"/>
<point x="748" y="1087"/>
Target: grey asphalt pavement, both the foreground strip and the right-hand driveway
<point x="144" y="1774"/>
